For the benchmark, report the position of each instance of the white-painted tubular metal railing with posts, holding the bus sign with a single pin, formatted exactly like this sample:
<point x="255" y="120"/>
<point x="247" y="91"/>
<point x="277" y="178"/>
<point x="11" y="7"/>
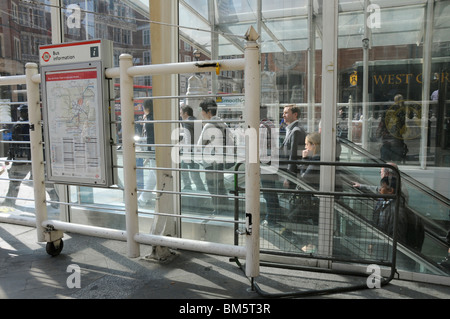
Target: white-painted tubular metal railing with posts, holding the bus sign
<point x="126" y="72"/>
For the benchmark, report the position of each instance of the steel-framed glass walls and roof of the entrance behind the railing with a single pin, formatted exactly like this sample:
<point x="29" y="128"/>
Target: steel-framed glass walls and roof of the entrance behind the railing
<point x="372" y="74"/>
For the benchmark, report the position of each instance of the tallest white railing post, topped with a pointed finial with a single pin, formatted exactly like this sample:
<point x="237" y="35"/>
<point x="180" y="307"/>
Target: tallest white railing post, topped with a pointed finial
<point x="252" y="176"/>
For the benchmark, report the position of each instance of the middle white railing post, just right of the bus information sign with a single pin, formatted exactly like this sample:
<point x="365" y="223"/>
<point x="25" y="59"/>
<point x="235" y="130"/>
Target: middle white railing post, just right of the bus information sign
<point x="129" y="154"/>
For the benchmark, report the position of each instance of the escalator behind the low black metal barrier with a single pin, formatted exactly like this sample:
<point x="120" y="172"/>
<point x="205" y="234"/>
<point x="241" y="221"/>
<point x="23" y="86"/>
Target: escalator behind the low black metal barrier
<point x="352" y="228"/>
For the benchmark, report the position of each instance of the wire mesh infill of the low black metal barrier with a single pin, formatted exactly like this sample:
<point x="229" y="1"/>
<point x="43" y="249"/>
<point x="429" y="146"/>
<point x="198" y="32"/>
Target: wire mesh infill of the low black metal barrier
<point x="305" y="226"/>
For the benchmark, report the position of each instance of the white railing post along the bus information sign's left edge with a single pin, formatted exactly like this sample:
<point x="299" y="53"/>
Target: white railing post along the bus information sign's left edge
<point x="37" y="154"/>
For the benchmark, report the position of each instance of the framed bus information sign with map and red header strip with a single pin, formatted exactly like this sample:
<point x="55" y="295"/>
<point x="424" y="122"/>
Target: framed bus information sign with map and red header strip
<point x="76" y="109"/>
